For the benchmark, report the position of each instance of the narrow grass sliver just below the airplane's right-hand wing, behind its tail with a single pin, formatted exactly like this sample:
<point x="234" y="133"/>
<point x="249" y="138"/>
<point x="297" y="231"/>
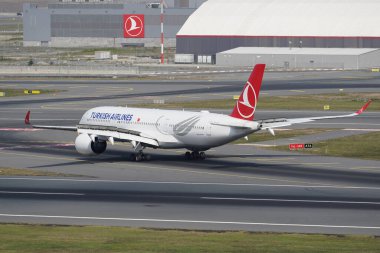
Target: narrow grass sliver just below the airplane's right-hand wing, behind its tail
<point x="280" y="134"/>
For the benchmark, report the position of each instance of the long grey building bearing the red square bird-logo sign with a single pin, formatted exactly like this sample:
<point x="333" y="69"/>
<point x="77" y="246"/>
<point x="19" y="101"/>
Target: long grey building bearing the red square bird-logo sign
<point x="105" y="23"/>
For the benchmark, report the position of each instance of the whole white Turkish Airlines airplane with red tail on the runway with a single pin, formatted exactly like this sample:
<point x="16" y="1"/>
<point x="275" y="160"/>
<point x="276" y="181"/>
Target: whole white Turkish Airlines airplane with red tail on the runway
<point x="176" y="129"/>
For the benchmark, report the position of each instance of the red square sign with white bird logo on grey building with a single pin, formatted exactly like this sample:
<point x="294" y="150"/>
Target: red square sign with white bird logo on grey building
<point x="134" y="26"/>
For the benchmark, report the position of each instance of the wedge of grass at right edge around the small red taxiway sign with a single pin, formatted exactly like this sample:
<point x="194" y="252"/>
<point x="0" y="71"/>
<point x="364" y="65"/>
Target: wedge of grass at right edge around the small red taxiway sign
<point x="362" y="146"/>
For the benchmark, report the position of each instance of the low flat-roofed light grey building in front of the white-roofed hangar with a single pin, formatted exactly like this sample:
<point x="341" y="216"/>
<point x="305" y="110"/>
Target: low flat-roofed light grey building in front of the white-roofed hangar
<point x="301" y="58"/>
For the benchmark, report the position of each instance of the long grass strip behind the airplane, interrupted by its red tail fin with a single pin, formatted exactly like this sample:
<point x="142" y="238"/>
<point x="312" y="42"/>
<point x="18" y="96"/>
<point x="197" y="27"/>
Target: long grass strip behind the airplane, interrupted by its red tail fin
<point x="340" y="101"/>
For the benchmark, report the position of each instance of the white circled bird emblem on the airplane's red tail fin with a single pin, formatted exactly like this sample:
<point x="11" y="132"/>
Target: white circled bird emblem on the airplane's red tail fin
<point x="246" y="104"/>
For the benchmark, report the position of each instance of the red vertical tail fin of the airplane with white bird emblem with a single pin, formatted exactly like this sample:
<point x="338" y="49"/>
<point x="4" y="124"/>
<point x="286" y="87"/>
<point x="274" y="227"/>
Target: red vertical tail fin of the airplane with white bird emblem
<point x="246" y="105"/>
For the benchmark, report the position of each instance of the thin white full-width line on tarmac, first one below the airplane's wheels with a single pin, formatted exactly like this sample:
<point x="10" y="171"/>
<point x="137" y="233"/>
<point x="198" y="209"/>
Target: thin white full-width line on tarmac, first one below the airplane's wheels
<point x="189" y="183"/>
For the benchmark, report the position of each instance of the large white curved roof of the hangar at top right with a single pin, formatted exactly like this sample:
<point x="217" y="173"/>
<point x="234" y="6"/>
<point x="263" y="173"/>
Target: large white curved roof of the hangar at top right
<point x="321" y="18"/>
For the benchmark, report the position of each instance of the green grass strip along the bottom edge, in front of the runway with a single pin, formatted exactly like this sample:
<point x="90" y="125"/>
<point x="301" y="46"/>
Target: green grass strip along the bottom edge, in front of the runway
<point x="40" y="238"/>
